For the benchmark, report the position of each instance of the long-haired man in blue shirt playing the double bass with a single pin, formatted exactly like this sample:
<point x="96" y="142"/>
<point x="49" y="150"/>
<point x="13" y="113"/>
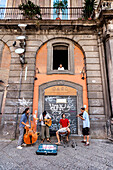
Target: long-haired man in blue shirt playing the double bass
<point x="23" y="121"/>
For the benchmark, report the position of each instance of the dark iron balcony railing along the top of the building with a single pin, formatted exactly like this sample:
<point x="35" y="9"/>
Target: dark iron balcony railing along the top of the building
<point x="48" y="13"/>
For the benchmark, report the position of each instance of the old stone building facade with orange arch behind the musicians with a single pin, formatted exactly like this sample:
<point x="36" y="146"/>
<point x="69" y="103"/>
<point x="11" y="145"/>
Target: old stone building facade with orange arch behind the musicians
<point x="81" y="46"/>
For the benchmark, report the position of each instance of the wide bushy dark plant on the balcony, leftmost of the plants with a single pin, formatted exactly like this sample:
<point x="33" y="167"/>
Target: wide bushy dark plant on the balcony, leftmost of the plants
<point x="30" y="10"/>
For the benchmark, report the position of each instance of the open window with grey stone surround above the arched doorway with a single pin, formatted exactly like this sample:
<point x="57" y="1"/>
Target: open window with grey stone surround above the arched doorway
<point x="60" y="51"/>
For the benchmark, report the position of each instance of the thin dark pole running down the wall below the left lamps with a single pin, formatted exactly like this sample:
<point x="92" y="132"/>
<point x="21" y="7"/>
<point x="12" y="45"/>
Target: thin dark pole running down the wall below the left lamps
<point x="21" y="73"/>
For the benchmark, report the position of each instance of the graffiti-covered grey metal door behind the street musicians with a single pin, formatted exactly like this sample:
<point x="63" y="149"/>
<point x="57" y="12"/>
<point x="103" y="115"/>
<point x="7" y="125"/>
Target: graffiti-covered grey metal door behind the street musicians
<point x="55" y="109"/>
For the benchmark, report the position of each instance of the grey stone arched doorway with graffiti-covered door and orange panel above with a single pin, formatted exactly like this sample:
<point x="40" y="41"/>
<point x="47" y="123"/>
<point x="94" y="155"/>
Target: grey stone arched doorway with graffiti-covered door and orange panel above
<point x="57" y="97"/>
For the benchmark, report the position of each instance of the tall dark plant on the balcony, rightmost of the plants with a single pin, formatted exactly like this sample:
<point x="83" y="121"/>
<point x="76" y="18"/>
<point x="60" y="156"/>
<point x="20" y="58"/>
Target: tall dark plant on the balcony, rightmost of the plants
<point x="89" y="7"/>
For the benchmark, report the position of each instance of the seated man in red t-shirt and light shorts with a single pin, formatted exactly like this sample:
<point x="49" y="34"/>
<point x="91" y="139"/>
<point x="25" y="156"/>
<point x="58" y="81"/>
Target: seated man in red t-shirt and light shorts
<point x="64" y="126"/>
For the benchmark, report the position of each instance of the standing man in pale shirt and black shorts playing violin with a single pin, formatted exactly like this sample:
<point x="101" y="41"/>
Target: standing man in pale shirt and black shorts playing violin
<point x="86" y="125"/>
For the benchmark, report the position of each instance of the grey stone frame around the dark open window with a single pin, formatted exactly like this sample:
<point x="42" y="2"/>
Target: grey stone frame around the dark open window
<point x="50" y="46"/>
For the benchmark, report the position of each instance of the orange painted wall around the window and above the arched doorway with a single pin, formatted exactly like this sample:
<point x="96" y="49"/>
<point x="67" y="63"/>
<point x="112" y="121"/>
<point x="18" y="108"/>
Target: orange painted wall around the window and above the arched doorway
<point x="41" y="64"/>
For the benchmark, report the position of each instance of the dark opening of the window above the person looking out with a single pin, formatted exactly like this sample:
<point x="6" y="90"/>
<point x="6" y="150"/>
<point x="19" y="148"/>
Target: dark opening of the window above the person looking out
<point x="60" y="56"/>
